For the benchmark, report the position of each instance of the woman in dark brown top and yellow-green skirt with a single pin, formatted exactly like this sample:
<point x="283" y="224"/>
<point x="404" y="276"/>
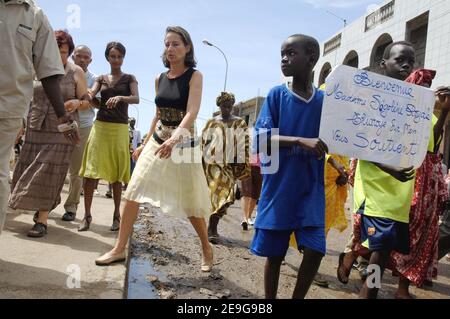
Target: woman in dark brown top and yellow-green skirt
<point x="107" y="154"/>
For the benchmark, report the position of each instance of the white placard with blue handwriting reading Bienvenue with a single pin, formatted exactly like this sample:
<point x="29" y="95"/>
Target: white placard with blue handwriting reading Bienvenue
<point x="376" y="118"/>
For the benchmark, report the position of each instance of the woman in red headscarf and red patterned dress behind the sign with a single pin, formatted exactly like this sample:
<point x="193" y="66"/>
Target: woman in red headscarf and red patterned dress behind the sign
<point x="430" y="193"/>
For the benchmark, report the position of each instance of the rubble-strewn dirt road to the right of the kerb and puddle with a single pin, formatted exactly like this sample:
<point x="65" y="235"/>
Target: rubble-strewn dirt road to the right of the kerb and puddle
<point x="173" y="249"/>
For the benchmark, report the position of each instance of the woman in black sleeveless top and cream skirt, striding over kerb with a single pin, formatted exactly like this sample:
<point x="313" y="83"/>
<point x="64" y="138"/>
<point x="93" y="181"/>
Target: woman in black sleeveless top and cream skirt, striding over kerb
<point x="170" y="159"/>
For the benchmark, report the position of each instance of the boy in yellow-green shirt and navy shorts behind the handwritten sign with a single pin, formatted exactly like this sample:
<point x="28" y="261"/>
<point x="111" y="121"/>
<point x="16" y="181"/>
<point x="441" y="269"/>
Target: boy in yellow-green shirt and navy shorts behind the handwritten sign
<point x="383" y="194"/>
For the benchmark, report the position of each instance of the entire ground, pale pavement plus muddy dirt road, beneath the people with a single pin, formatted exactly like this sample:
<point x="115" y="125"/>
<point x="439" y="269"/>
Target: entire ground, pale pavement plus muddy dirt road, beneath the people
<point x="165" y="261"/>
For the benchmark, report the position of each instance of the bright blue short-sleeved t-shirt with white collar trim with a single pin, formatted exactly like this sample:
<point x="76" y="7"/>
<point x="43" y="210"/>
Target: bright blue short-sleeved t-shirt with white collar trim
<point x="294" y="196"/>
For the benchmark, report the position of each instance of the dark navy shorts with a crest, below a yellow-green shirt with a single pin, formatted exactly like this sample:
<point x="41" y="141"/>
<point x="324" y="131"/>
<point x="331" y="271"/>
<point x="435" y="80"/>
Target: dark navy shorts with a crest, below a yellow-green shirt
<point x="379" y="234"/>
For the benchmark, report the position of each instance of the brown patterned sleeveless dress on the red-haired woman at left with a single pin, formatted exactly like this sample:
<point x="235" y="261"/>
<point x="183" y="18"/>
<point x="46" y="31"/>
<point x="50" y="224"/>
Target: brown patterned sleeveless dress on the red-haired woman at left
<point x="45" y="158"/>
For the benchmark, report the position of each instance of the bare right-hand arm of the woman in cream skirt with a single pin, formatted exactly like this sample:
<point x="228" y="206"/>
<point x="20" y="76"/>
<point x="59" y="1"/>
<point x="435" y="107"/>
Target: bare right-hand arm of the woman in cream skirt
<point x="193" y="107"/>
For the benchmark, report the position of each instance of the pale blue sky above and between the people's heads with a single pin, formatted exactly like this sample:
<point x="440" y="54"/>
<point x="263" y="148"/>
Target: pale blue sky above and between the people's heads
<point x="250" y="32"/>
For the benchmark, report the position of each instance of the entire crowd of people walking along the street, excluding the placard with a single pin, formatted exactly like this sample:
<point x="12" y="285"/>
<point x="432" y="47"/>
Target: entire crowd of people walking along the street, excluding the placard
<point x="78" y="124"/>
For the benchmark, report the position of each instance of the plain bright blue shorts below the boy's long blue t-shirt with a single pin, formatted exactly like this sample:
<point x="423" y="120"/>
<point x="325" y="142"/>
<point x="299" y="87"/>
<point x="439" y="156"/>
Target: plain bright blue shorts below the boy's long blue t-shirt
<point x="275" y="243"/>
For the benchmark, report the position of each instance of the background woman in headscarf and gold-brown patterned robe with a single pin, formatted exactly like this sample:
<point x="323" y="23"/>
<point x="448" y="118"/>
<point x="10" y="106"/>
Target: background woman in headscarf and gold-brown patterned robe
<point x="225" y="144"/>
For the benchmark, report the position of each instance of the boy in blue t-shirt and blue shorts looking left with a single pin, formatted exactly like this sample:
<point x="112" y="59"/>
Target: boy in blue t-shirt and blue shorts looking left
<point x="292" y="199"/>
